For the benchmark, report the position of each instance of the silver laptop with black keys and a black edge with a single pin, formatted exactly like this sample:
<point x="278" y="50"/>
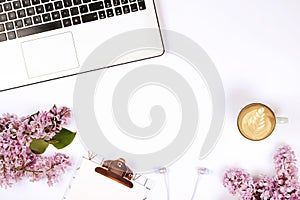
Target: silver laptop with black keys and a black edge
<point x="43" y="40"/>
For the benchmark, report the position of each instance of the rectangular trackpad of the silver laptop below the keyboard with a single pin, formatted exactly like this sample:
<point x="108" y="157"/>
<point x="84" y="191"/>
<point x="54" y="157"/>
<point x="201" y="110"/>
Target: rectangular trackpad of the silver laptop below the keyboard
<point x="50" y="55"/>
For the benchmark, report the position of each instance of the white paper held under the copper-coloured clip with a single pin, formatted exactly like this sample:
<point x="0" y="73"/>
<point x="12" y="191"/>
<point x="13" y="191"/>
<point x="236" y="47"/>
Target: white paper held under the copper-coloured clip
<point x="87" y="184"/>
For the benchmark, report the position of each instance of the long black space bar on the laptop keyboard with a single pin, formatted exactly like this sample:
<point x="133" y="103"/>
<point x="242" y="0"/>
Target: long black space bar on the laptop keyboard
<point x="39" y="29"/>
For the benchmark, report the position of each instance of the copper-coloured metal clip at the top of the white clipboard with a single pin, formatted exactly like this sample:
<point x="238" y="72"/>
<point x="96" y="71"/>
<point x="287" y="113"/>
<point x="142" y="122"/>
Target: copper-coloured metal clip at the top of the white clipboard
<point x="117" y="171"/>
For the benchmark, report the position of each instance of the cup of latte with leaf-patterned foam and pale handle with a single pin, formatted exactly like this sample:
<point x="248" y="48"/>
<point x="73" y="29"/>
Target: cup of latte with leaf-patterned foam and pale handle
<point x="257" y="121"/>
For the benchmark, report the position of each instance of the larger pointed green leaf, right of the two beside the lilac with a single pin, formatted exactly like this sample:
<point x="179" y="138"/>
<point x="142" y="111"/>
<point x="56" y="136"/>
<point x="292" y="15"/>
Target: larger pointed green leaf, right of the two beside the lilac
<point x="63" y="138"/>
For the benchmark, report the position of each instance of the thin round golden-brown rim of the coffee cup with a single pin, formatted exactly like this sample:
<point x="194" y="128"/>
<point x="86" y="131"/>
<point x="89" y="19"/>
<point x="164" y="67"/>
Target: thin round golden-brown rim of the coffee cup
<point x="239" y="120"/>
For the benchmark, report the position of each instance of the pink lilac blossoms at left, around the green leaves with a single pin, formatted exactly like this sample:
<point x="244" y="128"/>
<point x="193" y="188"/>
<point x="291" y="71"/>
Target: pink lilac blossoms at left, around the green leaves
<point x="17" y="160"/>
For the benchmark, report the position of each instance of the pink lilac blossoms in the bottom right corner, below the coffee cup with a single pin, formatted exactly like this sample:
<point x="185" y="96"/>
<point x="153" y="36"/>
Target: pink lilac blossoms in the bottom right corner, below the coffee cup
<point x="284" y="185"/>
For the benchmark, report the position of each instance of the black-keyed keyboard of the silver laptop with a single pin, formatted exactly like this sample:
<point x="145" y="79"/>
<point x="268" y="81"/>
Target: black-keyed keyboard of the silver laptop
<point x="20" y="18"/>
